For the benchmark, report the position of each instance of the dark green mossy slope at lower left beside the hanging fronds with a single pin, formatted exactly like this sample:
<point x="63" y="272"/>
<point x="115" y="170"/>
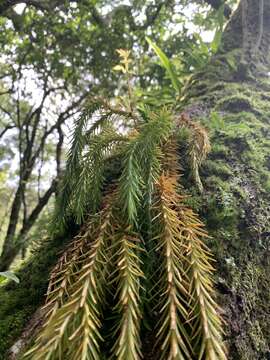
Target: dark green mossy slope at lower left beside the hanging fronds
<point x="19" y="301"/>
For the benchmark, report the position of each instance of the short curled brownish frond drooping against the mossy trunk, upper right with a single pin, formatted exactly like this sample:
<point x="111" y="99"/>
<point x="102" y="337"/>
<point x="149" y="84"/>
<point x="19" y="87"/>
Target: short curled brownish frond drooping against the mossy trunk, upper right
<point x="199" y="146"/>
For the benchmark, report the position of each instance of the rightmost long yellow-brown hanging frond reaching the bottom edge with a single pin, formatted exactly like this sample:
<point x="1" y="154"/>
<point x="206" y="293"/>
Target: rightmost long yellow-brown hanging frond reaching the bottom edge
<point x="206" y="320"/>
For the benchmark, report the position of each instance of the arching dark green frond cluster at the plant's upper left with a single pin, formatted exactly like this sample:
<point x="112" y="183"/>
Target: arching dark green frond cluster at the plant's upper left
<point x="82" y="184"/>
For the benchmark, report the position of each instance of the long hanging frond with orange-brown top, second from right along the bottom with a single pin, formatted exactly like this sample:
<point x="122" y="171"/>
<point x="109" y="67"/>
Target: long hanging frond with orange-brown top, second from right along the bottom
<point x="172" y="333"/>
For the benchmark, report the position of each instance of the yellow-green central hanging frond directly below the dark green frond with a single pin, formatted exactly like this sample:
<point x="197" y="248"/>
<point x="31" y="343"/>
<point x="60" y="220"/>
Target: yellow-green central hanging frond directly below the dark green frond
<point x="128" y="344"/>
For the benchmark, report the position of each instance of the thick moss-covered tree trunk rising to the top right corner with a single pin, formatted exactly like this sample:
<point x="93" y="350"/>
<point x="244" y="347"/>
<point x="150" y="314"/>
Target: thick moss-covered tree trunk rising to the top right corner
<point x="232" y="98"/>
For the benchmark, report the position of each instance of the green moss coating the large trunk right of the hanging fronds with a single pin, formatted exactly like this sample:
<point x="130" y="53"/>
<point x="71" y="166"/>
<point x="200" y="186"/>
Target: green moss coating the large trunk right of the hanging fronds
<point x="235" y="204"/>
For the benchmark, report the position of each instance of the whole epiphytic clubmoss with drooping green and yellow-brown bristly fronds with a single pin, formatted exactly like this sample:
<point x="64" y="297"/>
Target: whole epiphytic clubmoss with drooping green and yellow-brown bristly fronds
<point x="142" y="215"/>
